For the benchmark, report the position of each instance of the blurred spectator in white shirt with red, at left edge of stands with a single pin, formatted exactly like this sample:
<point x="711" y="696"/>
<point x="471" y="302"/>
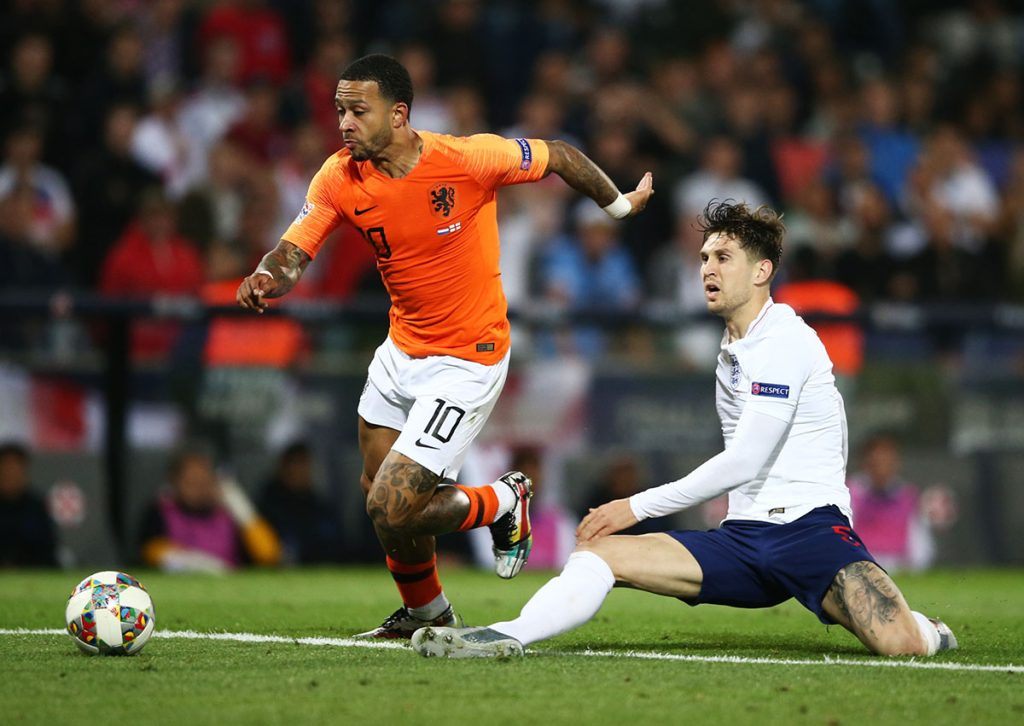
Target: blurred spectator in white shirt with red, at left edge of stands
<point x="54" y="210"/>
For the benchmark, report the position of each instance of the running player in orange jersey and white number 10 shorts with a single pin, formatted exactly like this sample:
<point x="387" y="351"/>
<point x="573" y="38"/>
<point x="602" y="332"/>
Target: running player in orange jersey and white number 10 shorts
<point x="426" y="204"/>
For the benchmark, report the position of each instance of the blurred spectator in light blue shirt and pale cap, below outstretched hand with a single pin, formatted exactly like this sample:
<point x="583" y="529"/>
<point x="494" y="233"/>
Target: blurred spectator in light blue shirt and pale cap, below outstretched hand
<point x="589" y="270"/>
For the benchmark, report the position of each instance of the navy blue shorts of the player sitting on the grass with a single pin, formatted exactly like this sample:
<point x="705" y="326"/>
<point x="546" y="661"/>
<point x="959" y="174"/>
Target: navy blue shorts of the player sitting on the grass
<point x="757" y="565"/>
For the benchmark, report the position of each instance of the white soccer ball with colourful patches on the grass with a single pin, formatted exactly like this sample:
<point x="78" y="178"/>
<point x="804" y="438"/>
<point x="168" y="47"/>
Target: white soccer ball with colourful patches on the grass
<point x="110" y="614"/>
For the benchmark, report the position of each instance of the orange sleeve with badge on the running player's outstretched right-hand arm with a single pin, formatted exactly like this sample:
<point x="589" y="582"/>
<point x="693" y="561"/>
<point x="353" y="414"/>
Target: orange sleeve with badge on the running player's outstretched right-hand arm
<point x="495" y="161"/>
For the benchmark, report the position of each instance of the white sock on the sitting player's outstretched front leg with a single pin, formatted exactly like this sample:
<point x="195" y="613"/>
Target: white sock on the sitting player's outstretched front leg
<point x="566" y="603"/>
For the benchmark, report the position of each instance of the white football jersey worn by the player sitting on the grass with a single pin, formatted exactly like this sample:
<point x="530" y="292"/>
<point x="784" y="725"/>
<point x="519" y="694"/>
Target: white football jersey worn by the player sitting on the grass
<point x="782" y="369"/>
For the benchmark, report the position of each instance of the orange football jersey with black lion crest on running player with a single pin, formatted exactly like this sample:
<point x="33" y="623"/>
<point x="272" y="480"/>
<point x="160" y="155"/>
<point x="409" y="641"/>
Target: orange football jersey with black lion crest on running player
<point x="436" y="236"/>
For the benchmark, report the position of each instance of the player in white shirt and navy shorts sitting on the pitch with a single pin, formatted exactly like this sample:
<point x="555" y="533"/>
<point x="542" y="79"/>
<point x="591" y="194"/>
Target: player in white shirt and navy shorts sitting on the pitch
<point x="788" y="533"/>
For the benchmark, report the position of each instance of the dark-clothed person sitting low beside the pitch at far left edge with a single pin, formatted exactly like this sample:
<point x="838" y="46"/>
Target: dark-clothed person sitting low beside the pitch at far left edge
<point x="27" y="533"/>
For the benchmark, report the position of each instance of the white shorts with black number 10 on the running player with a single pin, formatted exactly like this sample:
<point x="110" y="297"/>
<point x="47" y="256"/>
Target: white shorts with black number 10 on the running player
<point x="440" y="404"/>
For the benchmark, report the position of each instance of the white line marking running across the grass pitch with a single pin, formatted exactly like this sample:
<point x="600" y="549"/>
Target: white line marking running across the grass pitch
<point x="737" y="660"/>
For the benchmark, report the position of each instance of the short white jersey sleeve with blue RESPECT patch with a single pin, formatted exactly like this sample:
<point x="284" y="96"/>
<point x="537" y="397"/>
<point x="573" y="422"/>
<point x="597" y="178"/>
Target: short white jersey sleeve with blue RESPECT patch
<point x="780" y="368"/>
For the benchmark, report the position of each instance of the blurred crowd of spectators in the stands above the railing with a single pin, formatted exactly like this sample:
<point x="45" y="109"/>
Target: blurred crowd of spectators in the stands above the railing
<point x="162" y="147"/>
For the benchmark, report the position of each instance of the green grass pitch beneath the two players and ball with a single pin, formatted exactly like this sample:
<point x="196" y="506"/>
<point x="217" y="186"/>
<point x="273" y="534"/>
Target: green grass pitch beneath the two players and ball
<point x="200" y="681"/>
